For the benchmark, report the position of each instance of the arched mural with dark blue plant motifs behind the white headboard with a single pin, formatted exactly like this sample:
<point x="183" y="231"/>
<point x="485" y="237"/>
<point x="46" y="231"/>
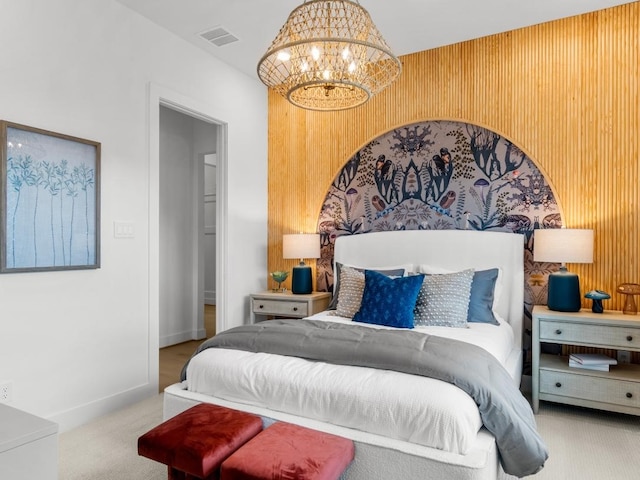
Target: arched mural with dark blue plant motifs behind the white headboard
<point x="440" y="175"/>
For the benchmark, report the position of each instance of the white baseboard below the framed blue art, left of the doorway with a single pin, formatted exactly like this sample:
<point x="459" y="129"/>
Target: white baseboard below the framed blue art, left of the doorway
<point x="82" y="414"/>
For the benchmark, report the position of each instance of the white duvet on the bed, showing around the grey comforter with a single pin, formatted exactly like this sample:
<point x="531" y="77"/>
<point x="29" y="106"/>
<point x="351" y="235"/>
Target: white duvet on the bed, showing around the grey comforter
<point x="396" y="405"/>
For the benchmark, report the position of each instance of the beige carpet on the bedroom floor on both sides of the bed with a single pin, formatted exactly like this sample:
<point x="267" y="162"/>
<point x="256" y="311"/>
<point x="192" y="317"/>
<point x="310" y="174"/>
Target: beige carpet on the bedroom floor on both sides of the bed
<point x="584" y="445"/>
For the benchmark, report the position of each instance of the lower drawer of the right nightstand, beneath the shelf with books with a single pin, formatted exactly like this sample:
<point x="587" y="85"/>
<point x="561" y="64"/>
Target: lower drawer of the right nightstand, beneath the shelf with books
<point x="594" y="388"/>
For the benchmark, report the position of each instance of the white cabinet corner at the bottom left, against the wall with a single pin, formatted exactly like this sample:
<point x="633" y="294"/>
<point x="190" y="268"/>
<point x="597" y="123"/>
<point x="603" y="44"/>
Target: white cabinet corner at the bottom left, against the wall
<point x="28" y="446"/>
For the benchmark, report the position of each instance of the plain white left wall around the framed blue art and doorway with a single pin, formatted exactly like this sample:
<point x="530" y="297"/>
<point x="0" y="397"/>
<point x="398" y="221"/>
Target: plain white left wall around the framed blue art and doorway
<point x="77" y="344"/>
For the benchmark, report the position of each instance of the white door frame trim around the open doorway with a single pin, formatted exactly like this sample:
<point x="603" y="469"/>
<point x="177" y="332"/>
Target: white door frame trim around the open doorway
<point x="162" y="96"/>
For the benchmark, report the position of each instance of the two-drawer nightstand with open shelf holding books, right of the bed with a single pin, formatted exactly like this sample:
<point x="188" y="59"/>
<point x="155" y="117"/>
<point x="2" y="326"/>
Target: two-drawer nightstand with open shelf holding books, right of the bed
<point x="617" y="390"/>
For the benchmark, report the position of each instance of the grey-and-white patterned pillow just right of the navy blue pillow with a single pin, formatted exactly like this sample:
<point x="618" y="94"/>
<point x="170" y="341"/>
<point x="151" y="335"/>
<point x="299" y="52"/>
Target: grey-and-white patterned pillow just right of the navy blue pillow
<point x="444" y="300"/>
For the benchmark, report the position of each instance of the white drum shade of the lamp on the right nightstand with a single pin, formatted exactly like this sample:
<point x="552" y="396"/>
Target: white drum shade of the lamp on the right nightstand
<point x="563" y="245"/>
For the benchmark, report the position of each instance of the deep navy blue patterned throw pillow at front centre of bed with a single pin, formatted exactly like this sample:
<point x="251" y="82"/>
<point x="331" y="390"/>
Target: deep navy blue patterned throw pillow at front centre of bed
<point x="388" y="301"/>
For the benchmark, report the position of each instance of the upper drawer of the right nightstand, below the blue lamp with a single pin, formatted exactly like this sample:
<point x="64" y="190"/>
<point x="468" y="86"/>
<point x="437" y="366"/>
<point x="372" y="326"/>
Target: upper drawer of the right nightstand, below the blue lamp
<point x="567" y="332"/>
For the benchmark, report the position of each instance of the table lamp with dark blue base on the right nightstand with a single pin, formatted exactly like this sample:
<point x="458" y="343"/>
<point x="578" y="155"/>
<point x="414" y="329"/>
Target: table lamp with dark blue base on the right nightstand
<point x="563" y="245"/>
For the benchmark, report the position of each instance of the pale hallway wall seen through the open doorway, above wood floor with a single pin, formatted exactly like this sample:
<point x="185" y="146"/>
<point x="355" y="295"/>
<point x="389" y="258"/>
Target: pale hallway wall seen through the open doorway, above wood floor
<point x="187" y="179"/>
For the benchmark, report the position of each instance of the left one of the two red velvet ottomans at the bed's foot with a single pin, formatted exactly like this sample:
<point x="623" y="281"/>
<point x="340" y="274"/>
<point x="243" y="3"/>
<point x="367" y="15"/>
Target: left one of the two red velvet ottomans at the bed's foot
<point x="194" y="443"/>
